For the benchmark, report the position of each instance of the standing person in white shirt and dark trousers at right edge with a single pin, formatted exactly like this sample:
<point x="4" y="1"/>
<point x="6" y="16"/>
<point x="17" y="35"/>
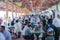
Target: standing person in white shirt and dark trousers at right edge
<point x="56" y="23"/>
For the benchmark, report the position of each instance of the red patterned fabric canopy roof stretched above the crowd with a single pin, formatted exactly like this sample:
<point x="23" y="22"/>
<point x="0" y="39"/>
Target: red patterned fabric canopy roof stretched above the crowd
<point x="36" y="4"/>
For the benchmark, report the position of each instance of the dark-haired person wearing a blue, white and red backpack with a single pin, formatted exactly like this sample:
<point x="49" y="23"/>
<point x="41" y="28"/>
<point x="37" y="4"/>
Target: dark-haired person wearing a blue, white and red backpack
<point x="48" y="28"/>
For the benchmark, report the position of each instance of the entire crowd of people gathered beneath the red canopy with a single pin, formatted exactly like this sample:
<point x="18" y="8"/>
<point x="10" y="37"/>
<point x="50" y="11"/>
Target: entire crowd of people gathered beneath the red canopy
<point x="32" y="26"/>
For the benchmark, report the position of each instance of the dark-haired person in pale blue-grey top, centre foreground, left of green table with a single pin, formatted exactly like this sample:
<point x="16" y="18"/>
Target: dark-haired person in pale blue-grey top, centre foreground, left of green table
<point x="26" y="32"/>
